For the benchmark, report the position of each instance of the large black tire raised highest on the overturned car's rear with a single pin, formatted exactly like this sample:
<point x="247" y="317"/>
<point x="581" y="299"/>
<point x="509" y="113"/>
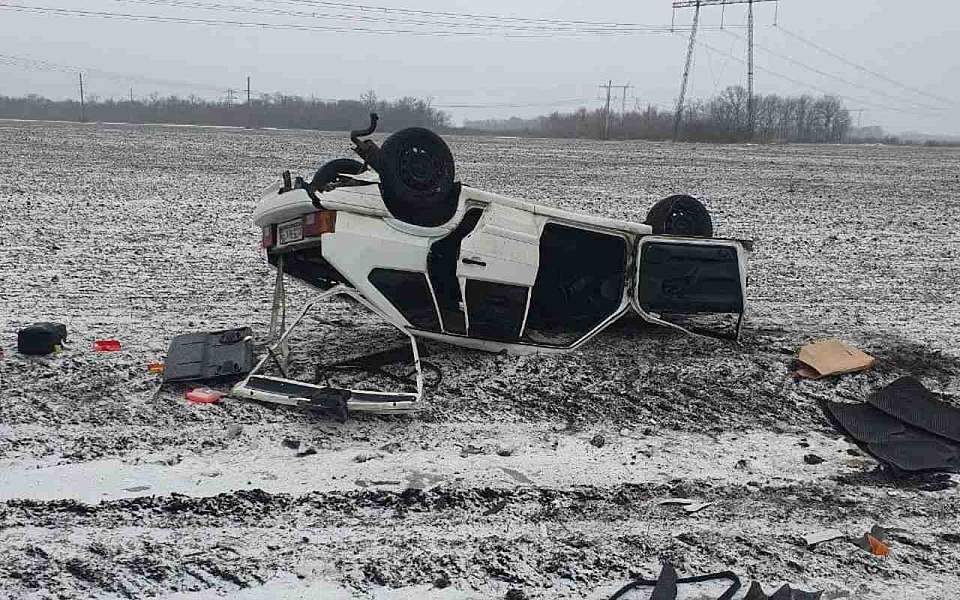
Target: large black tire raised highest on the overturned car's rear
<point x="417" y="177"/>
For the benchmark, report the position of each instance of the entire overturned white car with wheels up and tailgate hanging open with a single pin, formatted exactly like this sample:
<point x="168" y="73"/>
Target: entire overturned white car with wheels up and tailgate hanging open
<point x="444" y="261"/>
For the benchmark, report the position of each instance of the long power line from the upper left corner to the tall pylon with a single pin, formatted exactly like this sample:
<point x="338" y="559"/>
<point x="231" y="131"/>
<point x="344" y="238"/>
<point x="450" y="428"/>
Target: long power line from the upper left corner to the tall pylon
<point x="533" y="33"/>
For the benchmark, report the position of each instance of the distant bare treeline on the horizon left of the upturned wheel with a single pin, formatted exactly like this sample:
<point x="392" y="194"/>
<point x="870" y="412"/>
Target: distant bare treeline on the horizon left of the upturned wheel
<point x="269" y="110"/>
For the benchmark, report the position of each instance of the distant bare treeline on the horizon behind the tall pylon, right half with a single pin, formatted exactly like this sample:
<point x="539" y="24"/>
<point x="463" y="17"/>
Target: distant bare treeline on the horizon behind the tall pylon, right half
<point x="723" y="118"/>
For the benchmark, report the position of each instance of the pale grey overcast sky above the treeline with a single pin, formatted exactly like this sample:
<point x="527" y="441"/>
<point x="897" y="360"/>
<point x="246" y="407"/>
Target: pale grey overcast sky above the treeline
<point x="914" y="45"/>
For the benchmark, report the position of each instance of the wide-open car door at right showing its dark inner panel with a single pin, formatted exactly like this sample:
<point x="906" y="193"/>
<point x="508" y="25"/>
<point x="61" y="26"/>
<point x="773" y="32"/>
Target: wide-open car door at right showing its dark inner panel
<point x="678" y="275"/>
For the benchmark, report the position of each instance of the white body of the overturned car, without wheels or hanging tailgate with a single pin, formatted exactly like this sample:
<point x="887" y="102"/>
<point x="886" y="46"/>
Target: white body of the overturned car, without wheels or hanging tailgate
<point x="501" y="254"/>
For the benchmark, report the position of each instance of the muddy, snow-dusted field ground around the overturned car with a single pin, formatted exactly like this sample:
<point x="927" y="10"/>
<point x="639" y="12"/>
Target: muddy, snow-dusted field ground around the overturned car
<point x="112" y="489"/>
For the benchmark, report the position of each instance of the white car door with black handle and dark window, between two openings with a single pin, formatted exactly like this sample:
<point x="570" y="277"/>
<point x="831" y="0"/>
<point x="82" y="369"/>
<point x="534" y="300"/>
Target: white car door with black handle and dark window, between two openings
<point x="497" y="269"/>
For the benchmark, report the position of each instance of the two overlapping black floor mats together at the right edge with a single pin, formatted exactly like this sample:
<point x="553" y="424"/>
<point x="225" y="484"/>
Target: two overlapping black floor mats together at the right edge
<point x="904" y="426"/>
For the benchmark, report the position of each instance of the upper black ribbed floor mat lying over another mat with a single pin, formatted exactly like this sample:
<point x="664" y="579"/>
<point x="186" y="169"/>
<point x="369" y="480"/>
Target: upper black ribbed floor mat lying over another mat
<point x="907" y="400"/>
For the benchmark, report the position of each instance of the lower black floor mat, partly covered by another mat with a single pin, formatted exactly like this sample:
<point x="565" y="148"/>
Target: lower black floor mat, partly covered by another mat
<point x="907" y="448"/>
